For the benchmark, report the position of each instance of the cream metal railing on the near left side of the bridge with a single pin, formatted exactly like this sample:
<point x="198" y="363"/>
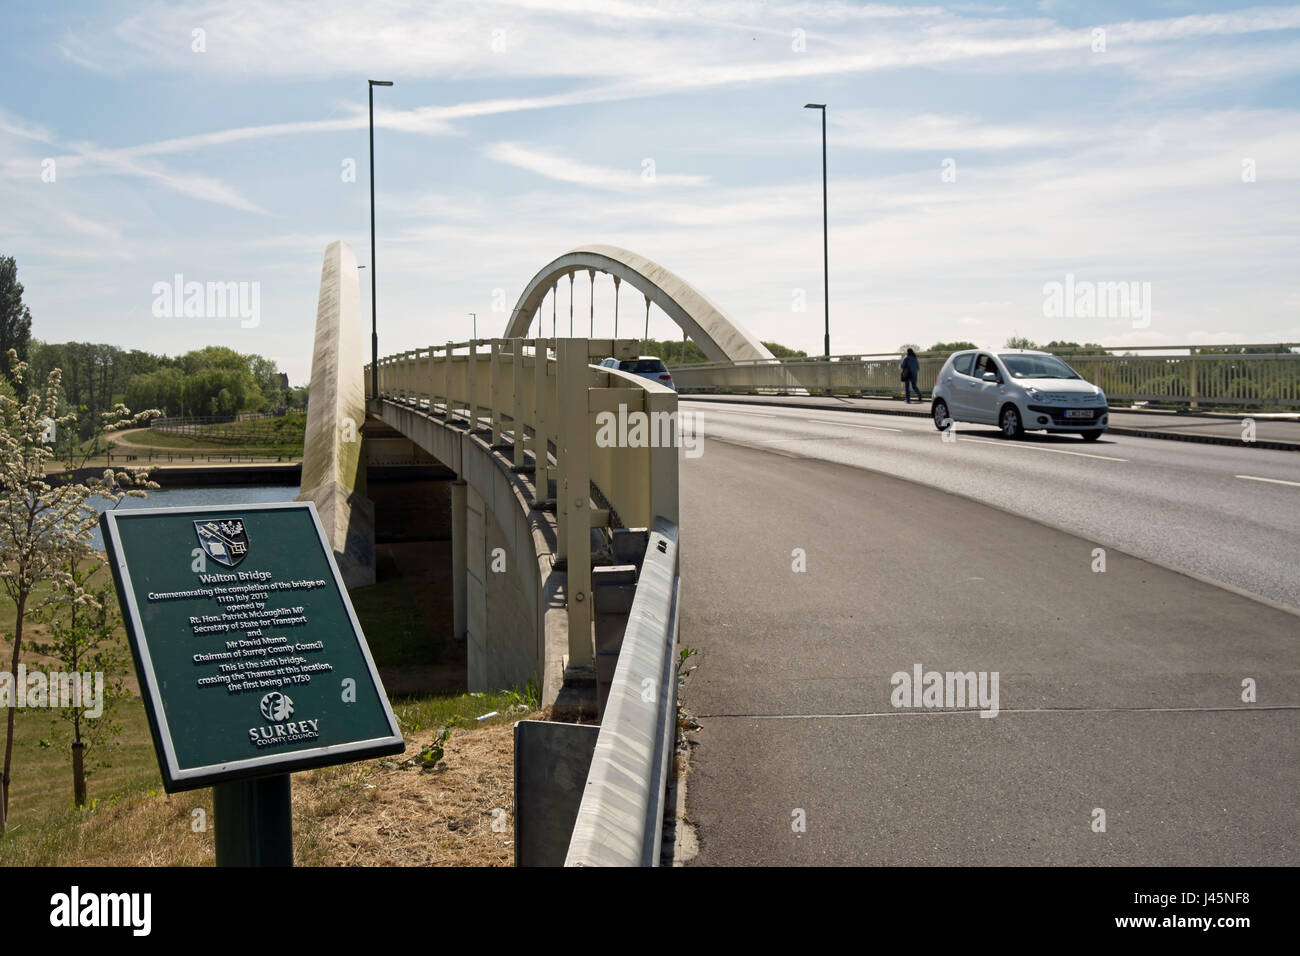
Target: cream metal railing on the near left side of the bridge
<point x="601" y="444"/>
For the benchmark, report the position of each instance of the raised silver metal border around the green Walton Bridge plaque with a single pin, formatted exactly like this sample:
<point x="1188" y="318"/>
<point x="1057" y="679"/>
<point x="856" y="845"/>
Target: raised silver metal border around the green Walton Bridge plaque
<point x="177" y="778"/>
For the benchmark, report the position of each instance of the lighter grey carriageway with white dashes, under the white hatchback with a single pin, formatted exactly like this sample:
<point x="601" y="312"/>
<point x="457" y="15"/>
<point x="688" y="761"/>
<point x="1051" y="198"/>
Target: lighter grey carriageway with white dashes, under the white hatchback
<point x="1230" y="514"/>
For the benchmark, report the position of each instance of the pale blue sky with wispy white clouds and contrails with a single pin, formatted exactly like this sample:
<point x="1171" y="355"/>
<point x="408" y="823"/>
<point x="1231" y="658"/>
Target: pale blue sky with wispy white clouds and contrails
<point x="977" y="157"/>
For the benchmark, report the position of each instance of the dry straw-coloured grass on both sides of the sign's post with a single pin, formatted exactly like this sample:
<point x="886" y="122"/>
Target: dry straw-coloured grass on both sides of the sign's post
<point x="354" y="815"/>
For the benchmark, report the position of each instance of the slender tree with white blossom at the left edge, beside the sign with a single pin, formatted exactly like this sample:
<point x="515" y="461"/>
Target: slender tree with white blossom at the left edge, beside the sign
<point x="45" y="524"/>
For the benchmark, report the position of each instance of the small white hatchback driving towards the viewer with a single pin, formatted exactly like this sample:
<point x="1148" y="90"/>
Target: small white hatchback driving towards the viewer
<point x="1019" y="391"/>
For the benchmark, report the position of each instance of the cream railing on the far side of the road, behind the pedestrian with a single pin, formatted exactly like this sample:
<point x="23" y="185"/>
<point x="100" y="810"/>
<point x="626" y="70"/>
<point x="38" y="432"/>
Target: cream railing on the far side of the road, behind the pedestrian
<point x="1264" y="379"/>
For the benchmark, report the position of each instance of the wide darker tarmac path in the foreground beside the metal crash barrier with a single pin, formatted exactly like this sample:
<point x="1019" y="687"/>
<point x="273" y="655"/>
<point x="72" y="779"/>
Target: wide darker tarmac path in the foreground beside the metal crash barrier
<point x="902" y="574"/>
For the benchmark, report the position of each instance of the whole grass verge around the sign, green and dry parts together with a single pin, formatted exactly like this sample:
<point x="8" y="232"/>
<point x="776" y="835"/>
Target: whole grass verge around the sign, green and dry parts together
<point x="388" y="812"/>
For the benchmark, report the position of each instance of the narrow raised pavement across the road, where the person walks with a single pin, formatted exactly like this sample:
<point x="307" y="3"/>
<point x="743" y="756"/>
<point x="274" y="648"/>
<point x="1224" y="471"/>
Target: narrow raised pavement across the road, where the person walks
<point x="1272" y="431"/>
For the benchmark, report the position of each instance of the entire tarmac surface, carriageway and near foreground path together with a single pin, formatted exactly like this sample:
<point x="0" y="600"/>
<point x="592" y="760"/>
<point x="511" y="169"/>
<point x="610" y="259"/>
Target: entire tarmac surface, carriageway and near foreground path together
<point x="1120" y="691"/>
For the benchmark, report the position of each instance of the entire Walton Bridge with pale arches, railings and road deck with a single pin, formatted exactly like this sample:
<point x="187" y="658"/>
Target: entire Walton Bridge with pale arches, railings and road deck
<point x="1143" y="678"/>
